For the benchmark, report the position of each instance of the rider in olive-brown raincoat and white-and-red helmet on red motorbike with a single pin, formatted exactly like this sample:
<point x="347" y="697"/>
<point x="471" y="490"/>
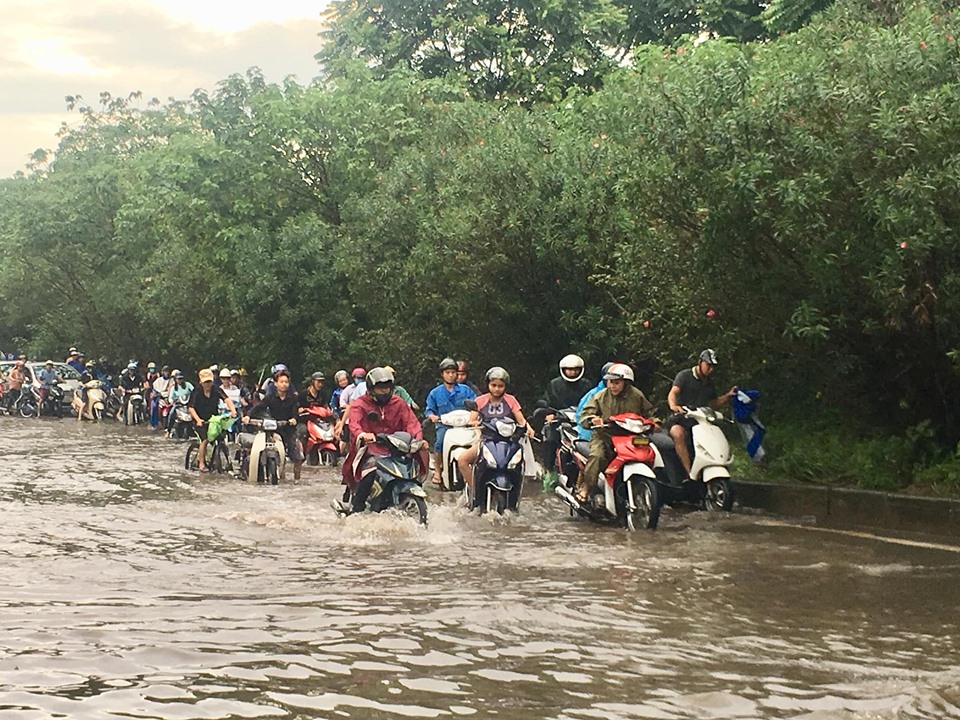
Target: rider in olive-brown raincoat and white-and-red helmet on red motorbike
<point x="620" y="396"/>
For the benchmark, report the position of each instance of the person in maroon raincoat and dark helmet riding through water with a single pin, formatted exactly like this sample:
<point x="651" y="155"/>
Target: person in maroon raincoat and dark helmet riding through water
<point x="377" y="411"/>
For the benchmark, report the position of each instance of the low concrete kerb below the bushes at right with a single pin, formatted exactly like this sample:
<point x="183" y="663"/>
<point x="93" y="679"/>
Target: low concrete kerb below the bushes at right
<point x="852" y="508"/>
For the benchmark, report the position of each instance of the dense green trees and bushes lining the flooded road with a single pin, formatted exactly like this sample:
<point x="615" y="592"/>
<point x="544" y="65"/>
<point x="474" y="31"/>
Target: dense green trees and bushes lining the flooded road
<point x="780" y="182"/>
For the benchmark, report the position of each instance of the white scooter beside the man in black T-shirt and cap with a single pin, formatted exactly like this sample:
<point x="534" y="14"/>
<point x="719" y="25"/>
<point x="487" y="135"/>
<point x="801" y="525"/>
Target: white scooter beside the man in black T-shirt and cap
<point x="711" y="458"/>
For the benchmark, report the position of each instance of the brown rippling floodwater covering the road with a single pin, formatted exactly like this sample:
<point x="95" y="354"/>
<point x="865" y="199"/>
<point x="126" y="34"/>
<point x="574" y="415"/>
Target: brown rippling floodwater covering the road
<point x="134" y="589"/>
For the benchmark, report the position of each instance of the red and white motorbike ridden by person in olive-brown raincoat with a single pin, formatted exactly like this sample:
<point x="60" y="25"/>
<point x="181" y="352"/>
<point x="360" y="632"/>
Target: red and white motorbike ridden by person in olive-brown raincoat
<point x="627" y="491"/>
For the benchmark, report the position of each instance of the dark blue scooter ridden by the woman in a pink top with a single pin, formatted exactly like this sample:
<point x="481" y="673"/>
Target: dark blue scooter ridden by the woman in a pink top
<point x="498" y="472"/>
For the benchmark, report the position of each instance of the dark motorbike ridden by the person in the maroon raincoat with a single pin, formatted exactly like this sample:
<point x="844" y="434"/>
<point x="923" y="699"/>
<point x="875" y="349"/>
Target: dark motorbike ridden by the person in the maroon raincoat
<point x="400" y="477"/>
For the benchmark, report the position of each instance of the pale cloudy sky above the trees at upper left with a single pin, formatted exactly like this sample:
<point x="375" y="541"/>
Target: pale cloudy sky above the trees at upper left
<point x="163" y="48"/>
